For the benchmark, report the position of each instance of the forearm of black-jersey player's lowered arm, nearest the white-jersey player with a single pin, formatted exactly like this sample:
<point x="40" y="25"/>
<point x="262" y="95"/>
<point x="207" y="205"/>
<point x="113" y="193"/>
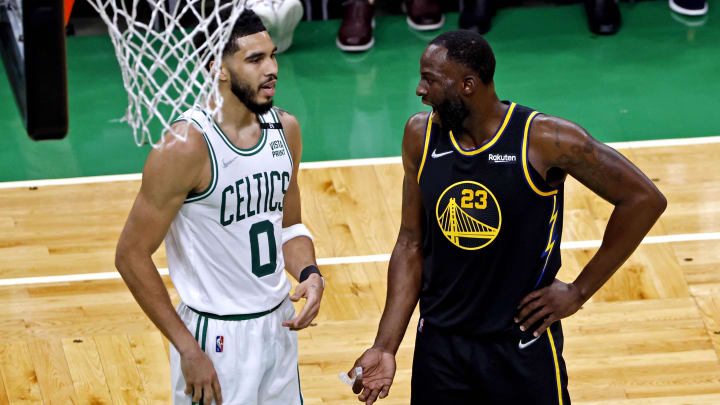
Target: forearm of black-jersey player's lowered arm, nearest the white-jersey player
<point x="404" y="281"/>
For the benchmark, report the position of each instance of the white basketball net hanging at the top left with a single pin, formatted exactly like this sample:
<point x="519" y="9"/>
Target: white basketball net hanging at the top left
<point x="163" y="73"/>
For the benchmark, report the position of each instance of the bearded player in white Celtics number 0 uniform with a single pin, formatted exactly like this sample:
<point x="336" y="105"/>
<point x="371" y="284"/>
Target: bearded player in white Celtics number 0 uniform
<point x="227" y="203"/>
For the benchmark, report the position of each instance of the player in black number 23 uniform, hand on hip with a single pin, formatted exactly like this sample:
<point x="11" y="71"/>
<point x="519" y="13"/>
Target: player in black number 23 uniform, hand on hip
<point x="479" y="242"/>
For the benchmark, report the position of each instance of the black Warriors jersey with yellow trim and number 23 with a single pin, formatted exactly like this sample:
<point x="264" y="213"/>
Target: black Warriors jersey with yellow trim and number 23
<point x="492" y="227"/>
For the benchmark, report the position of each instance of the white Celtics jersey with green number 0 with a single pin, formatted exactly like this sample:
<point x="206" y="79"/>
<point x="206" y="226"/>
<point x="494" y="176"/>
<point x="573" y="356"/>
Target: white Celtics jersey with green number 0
<point x="224" y="247"/>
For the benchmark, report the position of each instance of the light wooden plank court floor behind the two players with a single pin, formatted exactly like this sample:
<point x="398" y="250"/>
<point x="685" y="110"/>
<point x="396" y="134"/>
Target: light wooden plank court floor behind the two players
<point x="650" y="336"/>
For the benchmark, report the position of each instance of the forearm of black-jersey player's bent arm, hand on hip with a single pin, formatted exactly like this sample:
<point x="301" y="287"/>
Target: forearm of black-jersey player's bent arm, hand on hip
<point x="628" y="225"/>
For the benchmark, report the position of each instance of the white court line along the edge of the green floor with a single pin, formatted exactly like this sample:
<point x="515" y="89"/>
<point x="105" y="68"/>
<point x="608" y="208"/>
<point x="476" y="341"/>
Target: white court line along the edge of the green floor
<point x="653" y="143"/>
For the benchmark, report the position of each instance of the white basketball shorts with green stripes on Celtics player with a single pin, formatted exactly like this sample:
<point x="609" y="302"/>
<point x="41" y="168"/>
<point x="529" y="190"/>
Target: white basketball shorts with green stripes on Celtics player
<point x="255" y="357"/>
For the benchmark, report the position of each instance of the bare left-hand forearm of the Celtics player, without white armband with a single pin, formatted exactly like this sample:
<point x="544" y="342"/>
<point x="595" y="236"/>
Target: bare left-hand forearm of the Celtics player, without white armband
<point x="146" y="285"/>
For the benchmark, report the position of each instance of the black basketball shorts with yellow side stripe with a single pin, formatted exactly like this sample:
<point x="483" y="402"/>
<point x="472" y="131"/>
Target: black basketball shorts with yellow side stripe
<point x="451" y="369"/>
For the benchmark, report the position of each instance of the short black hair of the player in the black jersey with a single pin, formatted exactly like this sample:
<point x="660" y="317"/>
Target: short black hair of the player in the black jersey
<point x="470" y="49"/>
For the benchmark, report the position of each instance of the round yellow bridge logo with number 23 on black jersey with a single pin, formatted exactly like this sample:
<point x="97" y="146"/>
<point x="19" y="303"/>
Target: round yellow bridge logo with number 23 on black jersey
<point x="468" y="215"/>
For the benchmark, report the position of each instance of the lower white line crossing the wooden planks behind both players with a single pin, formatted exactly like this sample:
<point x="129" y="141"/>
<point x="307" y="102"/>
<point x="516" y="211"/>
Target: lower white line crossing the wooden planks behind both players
<point x="328" y="261"/>
